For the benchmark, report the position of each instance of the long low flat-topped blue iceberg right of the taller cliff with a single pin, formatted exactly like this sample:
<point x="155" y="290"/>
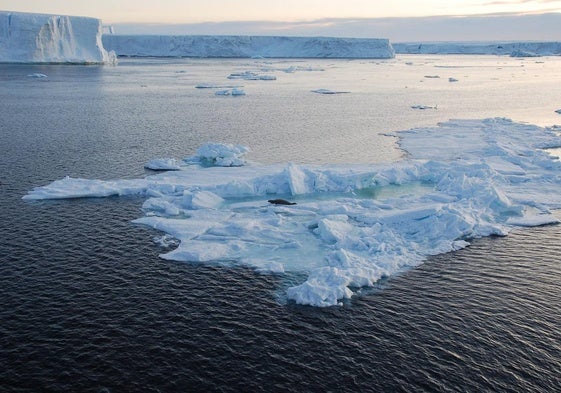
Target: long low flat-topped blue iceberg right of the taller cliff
<point x="248" y="46"/>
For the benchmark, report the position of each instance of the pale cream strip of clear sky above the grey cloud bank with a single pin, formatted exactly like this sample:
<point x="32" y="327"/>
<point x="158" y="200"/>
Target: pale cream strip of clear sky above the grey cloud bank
<point x="197" y="11"/>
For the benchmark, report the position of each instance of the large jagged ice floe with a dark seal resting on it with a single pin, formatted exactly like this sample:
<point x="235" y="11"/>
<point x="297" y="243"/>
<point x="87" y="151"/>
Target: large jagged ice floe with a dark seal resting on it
<point x="353" y="224"/>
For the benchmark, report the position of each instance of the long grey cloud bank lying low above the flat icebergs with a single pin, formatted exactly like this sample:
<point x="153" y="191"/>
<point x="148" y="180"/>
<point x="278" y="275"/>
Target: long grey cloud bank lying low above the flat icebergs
<point x="514" y="27"/>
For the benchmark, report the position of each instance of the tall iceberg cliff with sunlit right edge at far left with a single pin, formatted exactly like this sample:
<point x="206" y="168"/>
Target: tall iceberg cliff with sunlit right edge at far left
<point x="39" y="38"/>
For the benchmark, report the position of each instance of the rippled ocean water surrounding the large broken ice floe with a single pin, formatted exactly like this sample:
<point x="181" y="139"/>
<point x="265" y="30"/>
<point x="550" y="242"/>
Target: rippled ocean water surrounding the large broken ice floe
<point x="87" y="304"/>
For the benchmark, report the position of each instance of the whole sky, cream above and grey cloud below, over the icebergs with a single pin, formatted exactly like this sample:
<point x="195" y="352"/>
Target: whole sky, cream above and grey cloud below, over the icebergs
<point x="398" y="19"/>
